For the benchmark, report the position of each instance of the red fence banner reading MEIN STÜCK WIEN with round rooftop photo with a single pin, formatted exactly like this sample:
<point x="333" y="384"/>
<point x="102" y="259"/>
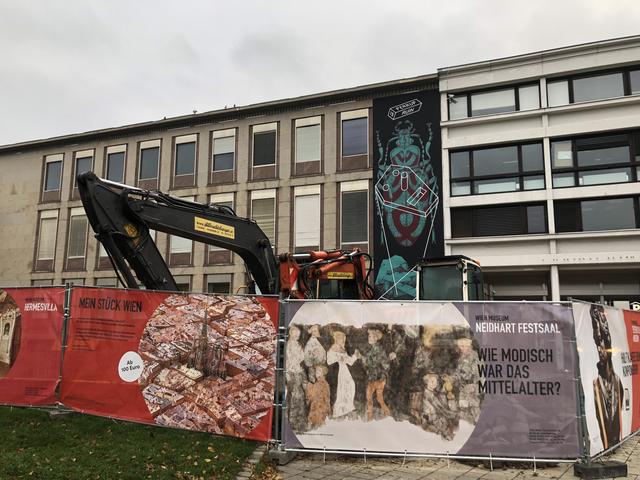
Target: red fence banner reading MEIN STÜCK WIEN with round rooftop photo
<point x="193" y="361"/>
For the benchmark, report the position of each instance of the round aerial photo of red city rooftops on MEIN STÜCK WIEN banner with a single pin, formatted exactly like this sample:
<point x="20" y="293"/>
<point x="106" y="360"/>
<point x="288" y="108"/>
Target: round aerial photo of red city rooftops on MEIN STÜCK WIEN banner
<point x="209" y="363"/>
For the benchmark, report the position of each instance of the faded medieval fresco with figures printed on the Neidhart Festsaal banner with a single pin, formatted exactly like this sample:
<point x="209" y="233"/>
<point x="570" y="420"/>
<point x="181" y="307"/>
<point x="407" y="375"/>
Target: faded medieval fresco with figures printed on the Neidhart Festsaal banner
<point x="426" y="376"/>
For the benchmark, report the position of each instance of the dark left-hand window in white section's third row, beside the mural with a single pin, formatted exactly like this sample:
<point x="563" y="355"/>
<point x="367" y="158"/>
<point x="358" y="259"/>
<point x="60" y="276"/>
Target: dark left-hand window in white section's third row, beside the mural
<point x="483" y="221"/>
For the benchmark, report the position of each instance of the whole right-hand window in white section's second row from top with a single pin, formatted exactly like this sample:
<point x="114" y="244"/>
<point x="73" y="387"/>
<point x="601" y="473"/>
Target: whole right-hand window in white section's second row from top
<point x="596" y="160"/>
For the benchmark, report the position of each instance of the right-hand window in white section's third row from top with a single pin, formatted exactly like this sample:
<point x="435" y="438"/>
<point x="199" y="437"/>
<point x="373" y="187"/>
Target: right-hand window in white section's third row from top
<point x="596" y="214"/>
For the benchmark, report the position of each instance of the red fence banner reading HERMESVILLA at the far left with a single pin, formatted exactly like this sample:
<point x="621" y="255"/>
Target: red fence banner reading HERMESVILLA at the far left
<point x="30" y="344"/>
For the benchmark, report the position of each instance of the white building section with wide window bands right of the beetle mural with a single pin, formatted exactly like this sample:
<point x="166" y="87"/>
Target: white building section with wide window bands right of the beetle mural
<point x="541" y="171"/>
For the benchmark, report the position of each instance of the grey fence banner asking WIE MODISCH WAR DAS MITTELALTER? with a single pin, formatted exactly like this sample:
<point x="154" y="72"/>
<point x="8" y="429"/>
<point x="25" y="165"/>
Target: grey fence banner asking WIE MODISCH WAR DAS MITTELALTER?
<point x="471" y="379"/>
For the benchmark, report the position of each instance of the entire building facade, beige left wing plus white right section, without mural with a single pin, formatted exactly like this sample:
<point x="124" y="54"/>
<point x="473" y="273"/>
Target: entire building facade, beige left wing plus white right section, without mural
<point x="540" y="169"/>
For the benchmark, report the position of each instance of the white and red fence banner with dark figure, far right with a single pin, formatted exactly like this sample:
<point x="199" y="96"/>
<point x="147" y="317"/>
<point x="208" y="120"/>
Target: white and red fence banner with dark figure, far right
<point x="608" y="342"/>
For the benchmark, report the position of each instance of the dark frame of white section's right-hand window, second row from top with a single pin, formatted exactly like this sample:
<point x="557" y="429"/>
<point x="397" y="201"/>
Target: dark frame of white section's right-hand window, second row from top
<point x="633" y="142"/>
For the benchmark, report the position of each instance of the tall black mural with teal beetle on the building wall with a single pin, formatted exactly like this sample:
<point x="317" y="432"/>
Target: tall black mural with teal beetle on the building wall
<point x="407" y="175"/>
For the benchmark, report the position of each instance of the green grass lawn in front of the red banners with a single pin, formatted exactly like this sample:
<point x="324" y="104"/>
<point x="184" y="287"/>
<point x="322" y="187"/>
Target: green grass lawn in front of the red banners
<point x="36" y="446"/>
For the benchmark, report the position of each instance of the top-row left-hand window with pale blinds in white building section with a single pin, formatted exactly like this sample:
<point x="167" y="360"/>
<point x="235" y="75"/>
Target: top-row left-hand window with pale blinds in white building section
<point x="503" y="100"/>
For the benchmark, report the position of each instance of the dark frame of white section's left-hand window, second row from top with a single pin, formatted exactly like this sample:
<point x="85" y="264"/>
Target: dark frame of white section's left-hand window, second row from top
<point x="520" y="174"/>
